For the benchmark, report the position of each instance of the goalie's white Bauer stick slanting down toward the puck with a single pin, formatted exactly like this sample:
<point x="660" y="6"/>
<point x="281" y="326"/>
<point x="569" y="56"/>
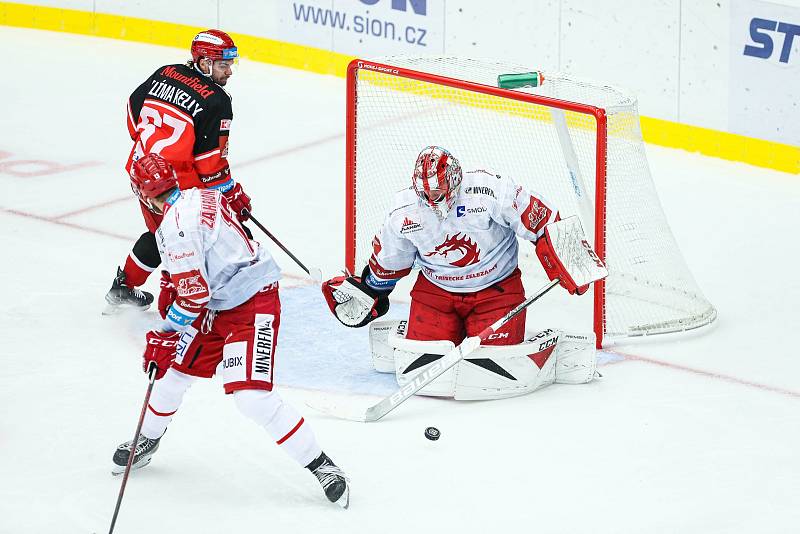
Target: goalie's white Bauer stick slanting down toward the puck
<point x="465" y="348"/>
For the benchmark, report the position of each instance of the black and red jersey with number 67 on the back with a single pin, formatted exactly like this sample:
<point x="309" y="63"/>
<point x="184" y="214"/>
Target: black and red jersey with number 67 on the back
<point x="185" y="117"/>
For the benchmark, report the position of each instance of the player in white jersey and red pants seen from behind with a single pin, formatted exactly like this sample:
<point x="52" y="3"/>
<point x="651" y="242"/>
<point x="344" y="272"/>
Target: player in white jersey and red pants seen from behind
<point x="226" y="309"/>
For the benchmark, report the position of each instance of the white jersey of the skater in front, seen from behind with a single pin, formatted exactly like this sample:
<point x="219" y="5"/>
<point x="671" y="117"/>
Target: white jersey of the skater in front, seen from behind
<point x="209" y="257"/>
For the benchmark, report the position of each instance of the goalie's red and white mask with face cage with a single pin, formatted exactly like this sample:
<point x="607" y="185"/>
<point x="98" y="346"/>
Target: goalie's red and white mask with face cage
<point x="437" y="178"/>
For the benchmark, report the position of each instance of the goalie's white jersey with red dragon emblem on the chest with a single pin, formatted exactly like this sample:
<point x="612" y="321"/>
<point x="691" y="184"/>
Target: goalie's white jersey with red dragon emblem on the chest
<point x="474" y="247"/>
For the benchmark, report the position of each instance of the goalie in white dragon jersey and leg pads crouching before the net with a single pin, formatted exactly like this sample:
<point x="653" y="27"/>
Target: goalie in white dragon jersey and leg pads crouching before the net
<point x="460" y="229"/>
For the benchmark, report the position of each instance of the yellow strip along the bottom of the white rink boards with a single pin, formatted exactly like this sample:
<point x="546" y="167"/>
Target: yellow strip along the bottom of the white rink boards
<point x="706" y="141"/>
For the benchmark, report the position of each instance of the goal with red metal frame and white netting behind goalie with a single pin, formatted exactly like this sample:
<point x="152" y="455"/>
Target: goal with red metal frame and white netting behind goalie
<point x="578" y="144"/>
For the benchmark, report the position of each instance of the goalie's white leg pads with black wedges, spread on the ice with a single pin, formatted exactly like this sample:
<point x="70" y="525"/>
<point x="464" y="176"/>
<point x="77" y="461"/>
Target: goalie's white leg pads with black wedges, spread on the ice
<point x="491" y="371"/>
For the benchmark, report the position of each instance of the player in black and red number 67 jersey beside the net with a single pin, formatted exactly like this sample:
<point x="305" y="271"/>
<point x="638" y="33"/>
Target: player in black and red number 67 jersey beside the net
<point x="183" y="113"/>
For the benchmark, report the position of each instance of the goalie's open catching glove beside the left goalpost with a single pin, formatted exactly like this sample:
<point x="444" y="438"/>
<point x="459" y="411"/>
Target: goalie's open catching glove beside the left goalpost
<point x="353" y="302"/>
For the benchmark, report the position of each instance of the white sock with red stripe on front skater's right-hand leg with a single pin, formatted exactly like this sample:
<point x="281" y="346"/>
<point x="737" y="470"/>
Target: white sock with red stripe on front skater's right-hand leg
<point x="281" y="421"/>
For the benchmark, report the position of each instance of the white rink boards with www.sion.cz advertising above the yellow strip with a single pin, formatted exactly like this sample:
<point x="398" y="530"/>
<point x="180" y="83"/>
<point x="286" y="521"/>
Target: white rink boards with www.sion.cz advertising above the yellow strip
<point x="683" y="59"/>
